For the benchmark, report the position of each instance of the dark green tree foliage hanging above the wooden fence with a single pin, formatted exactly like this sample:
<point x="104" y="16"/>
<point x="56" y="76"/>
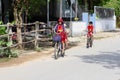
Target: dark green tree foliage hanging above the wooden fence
<point x="31" y="7"/>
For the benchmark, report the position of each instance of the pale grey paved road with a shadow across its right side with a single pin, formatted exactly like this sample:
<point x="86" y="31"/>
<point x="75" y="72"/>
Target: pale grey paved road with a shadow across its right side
<point x="102" y="62"/>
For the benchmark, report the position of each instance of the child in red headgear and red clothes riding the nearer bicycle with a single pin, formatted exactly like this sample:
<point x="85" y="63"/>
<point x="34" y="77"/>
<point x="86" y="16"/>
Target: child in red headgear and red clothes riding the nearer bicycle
<point x="61" y="31"/>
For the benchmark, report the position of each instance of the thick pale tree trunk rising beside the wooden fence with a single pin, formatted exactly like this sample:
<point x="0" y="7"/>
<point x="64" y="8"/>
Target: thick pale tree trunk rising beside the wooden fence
<point x="19" y="5"/>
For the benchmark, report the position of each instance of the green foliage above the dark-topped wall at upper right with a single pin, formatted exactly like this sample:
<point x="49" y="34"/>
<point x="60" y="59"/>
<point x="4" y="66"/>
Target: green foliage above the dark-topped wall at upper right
<point x="106" y="3"/>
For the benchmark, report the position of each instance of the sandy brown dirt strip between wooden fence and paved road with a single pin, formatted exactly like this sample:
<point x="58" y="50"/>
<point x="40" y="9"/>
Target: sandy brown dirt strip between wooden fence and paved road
<point x="24" y="58"/>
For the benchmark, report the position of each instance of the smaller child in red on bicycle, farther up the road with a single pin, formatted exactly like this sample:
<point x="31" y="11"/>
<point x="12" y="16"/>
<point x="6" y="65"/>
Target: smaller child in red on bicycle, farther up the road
<point x="90" y="29"/>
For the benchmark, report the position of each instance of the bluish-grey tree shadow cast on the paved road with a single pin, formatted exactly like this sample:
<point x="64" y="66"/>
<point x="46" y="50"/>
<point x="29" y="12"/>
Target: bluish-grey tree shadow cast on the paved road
<point x="109" y="60"/>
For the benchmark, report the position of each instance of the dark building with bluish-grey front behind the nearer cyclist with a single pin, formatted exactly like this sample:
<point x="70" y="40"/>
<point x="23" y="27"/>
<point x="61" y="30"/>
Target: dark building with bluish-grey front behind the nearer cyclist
<point x="65" y="8"/>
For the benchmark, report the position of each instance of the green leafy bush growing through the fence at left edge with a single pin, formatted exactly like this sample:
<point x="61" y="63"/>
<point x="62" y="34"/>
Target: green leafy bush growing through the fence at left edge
<point x="7" y="52"/>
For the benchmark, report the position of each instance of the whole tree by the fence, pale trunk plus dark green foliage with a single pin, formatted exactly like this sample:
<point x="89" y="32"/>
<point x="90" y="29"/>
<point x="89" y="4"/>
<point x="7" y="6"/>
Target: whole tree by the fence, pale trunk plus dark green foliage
<point x="31" y="8"/>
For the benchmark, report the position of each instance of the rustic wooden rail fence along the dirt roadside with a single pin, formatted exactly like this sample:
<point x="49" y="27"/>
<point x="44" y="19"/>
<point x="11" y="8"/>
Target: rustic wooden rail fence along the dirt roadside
<point x="30" y="33"/>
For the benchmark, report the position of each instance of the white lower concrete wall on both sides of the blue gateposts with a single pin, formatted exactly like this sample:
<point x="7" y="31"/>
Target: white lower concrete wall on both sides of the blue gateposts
<point x="79" y="27"/>
